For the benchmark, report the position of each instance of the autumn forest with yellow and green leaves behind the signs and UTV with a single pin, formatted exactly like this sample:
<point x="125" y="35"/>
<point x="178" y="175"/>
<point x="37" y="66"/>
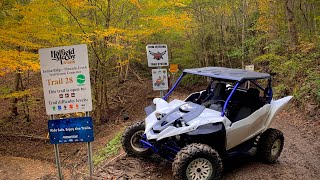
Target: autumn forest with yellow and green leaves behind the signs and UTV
<point x="278" y="36"/>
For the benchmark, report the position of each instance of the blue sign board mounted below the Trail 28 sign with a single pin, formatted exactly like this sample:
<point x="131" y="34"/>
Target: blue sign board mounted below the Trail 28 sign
<point x="71" y="130"/>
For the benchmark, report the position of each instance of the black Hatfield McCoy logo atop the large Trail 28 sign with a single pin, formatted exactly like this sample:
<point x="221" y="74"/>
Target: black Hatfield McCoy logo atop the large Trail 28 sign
<point x="65" y="57"/>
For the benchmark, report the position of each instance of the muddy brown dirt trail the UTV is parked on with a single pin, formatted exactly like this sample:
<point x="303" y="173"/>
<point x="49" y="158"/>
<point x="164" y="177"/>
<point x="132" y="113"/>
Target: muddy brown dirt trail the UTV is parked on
<point x="300" y="158"/>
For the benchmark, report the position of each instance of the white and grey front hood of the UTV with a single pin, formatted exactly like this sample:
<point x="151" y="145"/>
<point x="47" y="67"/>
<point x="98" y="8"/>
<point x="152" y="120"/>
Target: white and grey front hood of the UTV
<point x="177" y="117"/>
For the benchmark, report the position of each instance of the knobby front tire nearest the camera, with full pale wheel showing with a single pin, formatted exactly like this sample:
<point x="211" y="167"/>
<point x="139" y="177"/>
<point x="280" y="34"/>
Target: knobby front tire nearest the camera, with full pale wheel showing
<point x="197" y="161"/>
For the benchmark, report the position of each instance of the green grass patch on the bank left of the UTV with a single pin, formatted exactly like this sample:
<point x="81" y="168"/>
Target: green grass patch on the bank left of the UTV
<point x="111" y="149"/>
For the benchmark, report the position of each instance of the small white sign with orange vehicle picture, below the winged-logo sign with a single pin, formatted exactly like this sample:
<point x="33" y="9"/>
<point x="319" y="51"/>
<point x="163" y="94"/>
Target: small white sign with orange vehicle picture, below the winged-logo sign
<point x="159" y="79"/>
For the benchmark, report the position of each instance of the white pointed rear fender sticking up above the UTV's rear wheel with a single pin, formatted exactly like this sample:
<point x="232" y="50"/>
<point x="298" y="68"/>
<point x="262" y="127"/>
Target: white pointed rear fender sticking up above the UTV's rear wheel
<point x="276" y="107"/>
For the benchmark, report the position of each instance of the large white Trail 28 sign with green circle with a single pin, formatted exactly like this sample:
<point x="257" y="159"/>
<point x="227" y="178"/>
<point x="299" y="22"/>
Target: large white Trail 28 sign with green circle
<point x="66" y="79"/>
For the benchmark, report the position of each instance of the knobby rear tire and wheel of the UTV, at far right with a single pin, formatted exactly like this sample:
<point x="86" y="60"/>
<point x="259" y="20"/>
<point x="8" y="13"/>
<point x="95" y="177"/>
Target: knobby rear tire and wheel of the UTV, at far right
<point x="270" y="145"/>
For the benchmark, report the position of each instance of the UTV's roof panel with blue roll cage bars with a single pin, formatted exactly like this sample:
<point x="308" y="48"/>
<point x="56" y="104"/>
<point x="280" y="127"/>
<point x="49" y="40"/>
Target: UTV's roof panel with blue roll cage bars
<point x="237" y="76"/>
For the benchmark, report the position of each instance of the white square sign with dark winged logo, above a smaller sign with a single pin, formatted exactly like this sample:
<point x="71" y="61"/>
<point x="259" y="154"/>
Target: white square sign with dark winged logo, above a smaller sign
<point x="157" y="55"/>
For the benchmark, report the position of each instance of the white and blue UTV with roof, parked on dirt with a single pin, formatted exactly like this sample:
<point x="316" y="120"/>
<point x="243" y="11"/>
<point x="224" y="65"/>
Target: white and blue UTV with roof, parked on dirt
<point x="232" y="115"/>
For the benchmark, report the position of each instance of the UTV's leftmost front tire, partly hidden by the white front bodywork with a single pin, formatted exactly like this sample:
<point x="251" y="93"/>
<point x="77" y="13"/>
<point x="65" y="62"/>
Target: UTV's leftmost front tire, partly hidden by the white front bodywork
<point x="131" y="140"/>
